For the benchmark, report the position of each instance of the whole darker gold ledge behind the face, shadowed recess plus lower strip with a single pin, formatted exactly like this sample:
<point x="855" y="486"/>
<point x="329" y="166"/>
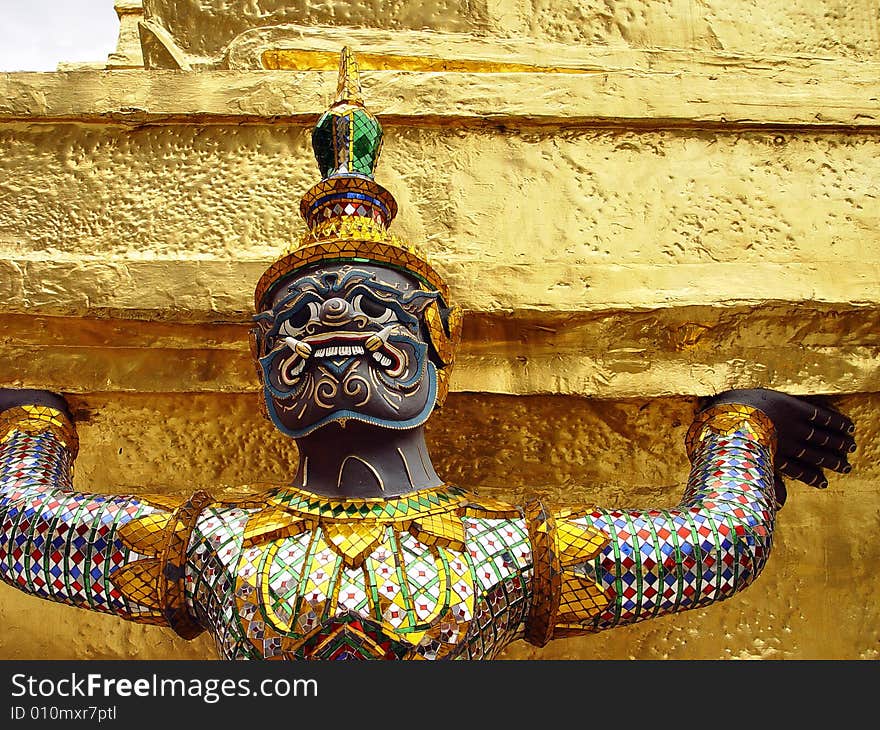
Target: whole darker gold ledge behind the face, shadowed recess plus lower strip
<point x="675" y="351"/>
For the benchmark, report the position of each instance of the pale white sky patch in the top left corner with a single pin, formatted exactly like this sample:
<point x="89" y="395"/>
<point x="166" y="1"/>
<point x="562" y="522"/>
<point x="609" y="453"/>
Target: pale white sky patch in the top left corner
<point x="36" y="34"/>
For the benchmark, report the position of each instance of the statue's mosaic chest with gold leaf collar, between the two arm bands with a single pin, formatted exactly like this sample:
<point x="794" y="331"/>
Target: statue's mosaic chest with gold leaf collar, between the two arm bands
<point x="401" y="578"/>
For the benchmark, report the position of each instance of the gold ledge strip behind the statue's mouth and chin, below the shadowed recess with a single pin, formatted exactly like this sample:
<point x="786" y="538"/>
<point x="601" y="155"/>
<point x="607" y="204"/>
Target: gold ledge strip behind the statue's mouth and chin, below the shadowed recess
<point x="612" y="375"/>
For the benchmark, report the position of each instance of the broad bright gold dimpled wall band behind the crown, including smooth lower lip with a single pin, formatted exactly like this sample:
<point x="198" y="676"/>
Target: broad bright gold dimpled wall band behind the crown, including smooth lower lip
<point x="632" y="220"/>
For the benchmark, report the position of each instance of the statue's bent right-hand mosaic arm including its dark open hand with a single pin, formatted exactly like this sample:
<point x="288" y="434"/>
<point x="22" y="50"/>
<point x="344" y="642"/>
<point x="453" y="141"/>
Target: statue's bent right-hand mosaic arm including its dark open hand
<point x="644" y="563"/>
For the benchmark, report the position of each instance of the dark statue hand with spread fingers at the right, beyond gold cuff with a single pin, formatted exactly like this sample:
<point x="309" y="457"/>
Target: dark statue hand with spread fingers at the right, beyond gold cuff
<point x="810" y="438"/>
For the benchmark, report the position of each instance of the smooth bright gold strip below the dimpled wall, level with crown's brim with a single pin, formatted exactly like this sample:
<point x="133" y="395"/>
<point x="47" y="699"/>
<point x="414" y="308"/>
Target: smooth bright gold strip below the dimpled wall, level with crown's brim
<point x="211" y="289"/>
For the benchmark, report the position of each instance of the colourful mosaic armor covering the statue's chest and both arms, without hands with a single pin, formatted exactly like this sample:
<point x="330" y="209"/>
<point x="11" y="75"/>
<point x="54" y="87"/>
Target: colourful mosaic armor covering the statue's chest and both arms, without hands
<point x="440" y="573"/>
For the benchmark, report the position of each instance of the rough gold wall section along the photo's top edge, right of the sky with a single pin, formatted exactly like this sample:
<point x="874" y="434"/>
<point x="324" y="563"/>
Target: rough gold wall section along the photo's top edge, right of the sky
<point x="202" y="31"/>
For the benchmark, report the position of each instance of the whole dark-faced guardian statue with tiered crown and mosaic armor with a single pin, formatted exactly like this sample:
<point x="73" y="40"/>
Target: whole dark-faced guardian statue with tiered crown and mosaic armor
<point x="369" y="553"/>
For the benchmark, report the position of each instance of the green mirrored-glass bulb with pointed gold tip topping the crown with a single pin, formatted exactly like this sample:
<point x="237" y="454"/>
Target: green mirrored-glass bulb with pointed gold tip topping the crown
<point x="347" y="138"/>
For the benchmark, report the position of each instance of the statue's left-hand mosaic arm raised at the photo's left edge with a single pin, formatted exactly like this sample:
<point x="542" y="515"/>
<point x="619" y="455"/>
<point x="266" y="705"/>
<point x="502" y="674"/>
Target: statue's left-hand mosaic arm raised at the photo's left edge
<point x="93" y="551"/>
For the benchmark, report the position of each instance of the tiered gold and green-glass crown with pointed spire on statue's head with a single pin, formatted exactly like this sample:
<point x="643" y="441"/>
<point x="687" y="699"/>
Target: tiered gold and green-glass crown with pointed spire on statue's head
<point x="347" y="212"/>
